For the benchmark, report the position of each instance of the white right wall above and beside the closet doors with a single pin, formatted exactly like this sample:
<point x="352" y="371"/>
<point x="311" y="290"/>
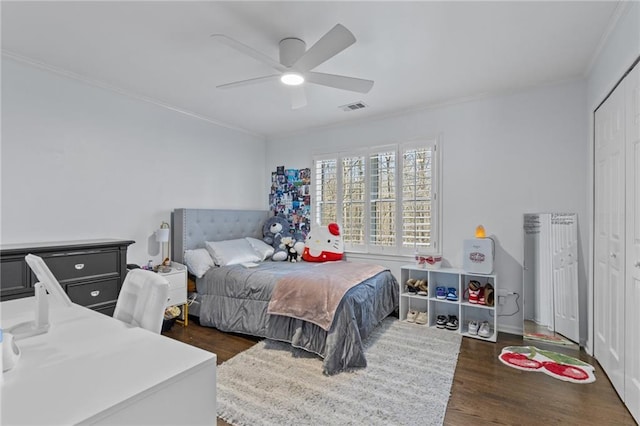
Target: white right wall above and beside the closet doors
<point x="621" y="49"/>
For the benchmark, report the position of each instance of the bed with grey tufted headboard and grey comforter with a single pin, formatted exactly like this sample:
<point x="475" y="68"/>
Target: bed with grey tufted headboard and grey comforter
<point x="236" y="298"/>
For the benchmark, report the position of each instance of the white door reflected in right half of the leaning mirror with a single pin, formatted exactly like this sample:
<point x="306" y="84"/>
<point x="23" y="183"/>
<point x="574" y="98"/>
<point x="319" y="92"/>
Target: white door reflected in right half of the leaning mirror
<point x="564" y="248"/>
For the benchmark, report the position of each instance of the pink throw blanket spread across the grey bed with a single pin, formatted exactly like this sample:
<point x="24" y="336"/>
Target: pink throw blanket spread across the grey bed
<point x="314" y="295"/>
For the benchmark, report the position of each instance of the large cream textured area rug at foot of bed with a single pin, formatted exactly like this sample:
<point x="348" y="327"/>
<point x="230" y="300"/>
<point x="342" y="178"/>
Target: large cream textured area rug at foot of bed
<point x="407" y="382"/>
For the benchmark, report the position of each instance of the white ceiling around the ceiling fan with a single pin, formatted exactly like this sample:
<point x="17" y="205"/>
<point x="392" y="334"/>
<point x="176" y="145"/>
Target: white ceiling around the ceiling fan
<point x="418" y="53"/>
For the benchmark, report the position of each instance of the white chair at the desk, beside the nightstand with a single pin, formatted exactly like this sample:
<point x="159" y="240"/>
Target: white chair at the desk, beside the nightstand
<point x="142" y="300"/>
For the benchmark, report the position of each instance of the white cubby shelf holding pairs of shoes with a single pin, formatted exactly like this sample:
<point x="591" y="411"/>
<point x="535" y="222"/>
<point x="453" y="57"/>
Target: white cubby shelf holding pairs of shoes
<point x="462" y="309"/>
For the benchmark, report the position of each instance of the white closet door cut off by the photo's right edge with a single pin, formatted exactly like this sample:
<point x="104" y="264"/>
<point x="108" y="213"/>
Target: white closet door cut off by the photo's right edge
<point x="632" y="323"/>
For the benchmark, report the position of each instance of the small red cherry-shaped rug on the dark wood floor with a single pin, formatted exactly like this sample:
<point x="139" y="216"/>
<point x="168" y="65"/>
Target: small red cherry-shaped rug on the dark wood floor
<point x="560" y="366"/>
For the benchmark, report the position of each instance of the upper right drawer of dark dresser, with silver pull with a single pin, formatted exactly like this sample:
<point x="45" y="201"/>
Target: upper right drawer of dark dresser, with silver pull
<point x="71" y="266"/>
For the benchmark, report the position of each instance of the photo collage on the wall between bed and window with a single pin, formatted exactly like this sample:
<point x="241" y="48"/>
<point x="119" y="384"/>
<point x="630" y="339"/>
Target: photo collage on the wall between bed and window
<point x="291" y="196"/>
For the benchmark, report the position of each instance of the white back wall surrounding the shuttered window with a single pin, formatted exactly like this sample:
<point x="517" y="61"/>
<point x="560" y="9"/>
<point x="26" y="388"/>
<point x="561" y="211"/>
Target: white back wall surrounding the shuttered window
<point x="502" y="157"/>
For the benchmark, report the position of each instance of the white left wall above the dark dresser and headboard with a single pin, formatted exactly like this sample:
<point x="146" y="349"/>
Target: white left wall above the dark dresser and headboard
<point x="82" y="162"/>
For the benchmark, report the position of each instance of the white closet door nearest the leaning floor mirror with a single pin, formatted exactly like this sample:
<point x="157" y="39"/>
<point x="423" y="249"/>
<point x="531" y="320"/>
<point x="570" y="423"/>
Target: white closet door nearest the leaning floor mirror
<point x="609" y="305"/>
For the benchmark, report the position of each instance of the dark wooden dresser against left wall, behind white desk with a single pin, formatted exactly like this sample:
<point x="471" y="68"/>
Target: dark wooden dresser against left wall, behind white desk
<point x="90" y="271"/>
